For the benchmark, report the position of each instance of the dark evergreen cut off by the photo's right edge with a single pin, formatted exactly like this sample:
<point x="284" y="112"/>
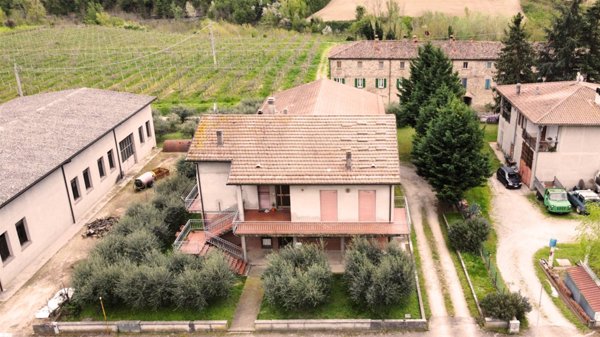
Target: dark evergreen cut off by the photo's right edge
<point x="590" y="41"/>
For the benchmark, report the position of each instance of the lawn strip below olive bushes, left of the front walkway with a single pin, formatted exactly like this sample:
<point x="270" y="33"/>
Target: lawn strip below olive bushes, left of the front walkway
<point x="219" y="310"/>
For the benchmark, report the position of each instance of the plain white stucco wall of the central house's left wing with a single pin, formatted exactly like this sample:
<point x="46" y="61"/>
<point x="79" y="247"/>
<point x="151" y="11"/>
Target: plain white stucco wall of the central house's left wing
<point x="216" y="194"/>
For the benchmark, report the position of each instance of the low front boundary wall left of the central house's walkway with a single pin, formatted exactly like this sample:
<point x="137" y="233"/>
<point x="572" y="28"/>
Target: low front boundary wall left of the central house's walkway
<point x="55" y="328"/>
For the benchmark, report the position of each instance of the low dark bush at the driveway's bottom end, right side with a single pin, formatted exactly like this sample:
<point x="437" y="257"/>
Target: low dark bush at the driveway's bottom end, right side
<point x="505" y="306"/>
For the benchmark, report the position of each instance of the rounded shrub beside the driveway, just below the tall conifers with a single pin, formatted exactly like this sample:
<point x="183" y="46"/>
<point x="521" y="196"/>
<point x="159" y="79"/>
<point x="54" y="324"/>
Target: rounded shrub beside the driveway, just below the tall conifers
<point x="468" y="235"/>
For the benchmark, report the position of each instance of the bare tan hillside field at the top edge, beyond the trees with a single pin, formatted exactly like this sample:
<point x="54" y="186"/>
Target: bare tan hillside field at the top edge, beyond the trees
<point x="344" y="10"/>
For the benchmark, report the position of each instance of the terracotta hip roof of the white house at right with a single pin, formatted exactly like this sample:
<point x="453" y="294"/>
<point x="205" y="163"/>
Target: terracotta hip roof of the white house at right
<point x="555" y="103"/>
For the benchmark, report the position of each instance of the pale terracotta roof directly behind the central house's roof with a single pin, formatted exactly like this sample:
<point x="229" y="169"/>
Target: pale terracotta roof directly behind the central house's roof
<point x="326" y="97"/>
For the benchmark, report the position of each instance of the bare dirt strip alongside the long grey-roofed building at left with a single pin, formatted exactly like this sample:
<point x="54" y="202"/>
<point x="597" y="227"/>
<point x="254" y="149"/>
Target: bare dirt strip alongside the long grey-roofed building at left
<point x="17" y="313"/>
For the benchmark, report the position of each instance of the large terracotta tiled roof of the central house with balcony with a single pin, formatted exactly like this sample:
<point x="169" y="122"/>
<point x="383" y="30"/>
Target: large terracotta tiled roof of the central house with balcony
<point x="301" y="149"/>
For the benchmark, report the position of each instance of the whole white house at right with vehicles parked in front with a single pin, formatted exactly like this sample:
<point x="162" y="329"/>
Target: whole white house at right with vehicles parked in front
<point x="551" y="129"/>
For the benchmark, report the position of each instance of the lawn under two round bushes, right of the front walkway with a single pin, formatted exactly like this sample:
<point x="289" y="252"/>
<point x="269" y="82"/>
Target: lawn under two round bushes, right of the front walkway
<point x="339" y="306"/>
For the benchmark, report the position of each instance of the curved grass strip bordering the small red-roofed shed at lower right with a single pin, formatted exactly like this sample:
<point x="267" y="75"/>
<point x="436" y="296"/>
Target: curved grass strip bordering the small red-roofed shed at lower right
<point x="574" y="253"/>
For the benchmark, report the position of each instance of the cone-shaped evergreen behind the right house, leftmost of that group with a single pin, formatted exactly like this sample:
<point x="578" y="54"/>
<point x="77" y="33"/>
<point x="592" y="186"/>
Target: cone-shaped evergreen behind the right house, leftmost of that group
<point x="517" y="57"/>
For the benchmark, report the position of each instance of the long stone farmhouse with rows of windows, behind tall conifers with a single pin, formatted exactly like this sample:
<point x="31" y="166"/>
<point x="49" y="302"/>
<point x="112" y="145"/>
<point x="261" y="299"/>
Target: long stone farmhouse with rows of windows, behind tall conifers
<point x="378" y="66"/>
